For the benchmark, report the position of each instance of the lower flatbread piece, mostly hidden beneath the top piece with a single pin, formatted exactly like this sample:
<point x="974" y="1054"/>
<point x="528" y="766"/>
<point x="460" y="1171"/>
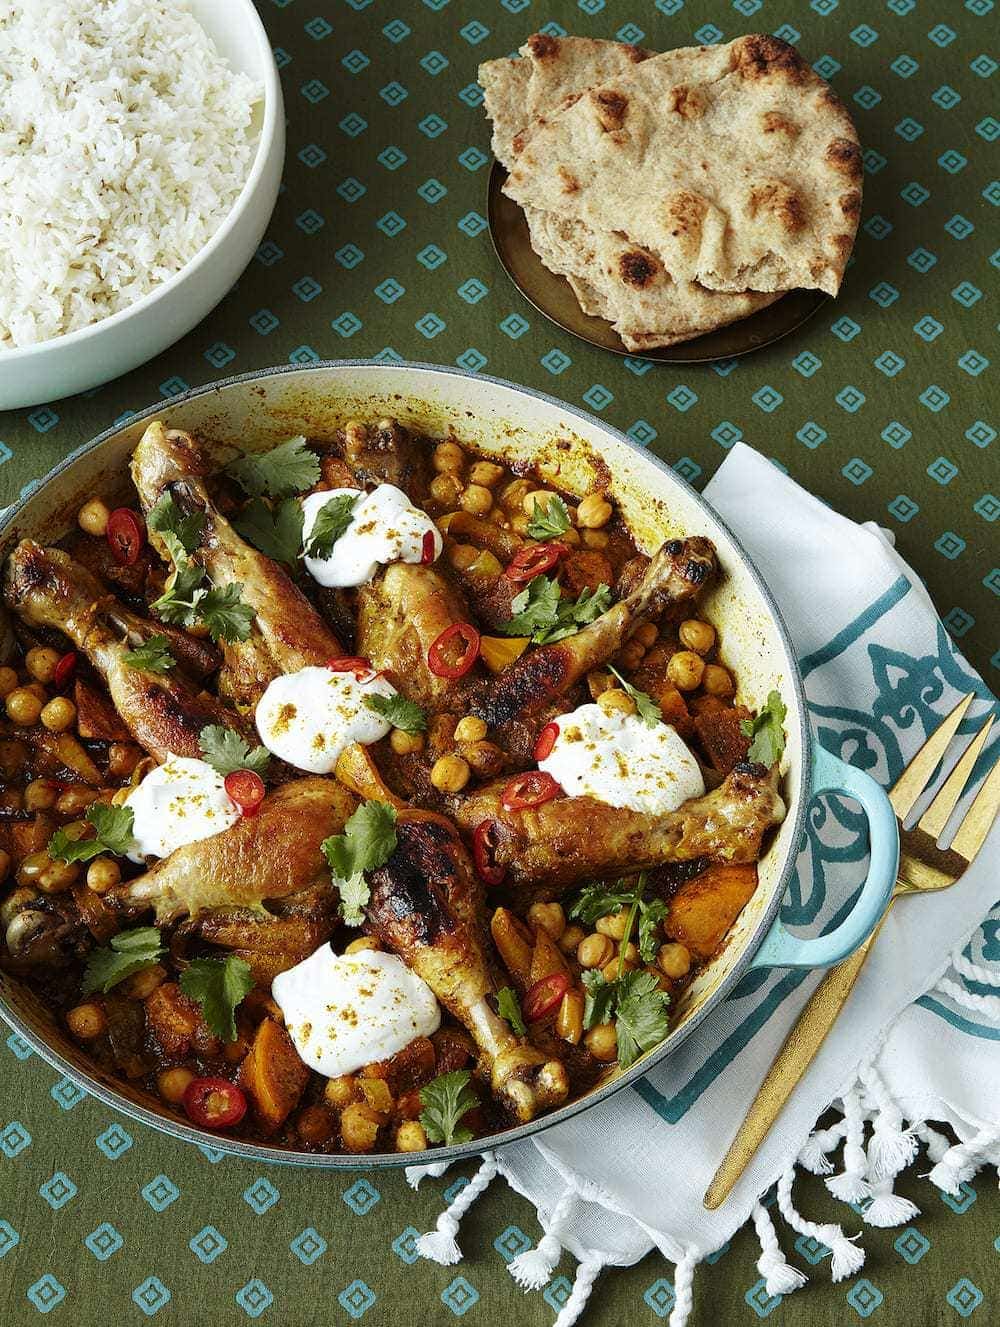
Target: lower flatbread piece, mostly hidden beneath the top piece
<point x="611" y="278"/>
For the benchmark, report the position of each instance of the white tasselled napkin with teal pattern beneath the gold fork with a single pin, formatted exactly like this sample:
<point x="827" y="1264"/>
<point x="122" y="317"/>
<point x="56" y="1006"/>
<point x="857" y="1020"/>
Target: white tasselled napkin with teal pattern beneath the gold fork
<point x="918" y="1040"/>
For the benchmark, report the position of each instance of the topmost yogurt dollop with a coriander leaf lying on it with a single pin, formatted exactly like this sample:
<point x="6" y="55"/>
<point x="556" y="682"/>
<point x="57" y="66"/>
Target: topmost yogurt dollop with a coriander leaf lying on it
<point x="385" y="527"/>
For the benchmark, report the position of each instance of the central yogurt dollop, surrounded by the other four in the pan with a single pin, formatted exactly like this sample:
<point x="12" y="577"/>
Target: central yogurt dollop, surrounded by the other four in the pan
<point x="310" y="717"/>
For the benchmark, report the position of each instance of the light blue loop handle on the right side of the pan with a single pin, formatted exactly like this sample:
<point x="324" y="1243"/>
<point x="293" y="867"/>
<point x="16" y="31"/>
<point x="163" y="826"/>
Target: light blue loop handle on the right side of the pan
<point x="781" y="948"/>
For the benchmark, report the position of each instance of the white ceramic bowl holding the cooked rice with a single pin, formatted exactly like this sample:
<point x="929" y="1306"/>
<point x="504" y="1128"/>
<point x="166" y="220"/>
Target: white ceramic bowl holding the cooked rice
<point x="109" y="348"/>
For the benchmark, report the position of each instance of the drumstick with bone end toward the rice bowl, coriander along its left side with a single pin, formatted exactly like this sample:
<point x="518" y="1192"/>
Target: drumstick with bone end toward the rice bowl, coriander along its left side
<point x="288" y="632"/>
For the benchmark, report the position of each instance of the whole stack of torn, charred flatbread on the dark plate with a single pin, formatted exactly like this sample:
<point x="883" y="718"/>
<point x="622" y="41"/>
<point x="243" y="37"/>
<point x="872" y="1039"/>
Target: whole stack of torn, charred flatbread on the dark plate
<point x="677" y="193"/>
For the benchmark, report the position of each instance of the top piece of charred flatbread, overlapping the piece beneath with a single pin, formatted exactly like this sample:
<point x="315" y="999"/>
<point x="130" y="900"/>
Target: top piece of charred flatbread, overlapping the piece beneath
<point x="737" y="167"/>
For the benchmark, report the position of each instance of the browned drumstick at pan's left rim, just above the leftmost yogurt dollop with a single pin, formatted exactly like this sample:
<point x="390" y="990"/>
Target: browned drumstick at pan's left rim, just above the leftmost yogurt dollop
<point x="162" y="711"/>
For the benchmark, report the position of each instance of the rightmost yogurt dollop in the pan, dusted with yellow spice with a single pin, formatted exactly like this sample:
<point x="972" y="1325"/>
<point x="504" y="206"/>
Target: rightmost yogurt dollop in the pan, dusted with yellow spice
<point x="620" y="761"/>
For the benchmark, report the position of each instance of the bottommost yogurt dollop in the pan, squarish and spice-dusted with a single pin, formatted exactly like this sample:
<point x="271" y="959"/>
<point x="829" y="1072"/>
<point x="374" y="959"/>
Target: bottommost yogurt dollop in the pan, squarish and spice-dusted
<point x="348" y="1011"/>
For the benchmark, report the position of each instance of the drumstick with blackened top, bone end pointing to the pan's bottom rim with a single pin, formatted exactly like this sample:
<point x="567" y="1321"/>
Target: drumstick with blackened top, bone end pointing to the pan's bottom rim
<point x="426" y="906"/>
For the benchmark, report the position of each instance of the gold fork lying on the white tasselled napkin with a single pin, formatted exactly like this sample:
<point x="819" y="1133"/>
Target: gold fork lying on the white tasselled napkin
<point x="924" y="867"/>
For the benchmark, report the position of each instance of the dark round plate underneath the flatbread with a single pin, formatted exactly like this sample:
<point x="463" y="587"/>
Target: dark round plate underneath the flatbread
<point x="552" y="297"/>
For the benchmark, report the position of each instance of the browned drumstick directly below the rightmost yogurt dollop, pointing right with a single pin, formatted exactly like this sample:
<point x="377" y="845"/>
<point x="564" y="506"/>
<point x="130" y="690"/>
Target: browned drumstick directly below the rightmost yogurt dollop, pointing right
<point x="551" y="849"/>
